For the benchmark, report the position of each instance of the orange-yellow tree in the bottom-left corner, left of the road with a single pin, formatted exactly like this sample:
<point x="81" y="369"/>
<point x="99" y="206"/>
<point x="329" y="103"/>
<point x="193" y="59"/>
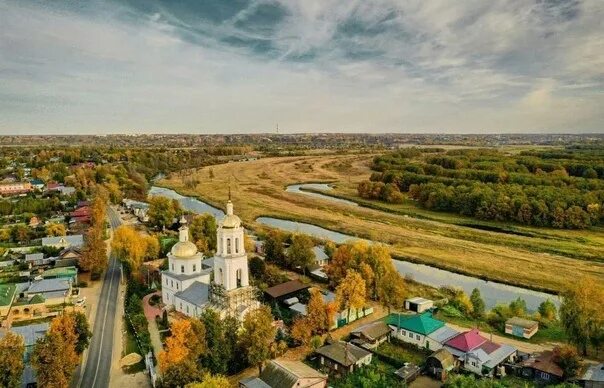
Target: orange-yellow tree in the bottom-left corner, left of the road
<point x="12" y="349"/>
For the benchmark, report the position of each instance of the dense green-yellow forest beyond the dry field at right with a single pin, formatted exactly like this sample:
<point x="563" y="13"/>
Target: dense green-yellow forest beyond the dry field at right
<point x="560" y="188"/>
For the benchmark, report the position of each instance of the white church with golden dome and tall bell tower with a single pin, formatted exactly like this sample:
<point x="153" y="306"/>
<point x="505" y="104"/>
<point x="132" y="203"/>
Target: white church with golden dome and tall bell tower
<point x="192" y="284"/>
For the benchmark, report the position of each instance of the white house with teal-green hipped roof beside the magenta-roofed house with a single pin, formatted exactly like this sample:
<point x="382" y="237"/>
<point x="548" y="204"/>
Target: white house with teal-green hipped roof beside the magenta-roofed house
<point x="422" y="330"/>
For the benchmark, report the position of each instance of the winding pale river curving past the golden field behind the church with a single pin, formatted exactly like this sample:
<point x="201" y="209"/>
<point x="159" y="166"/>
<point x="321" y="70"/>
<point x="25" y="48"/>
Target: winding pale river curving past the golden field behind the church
<point x="492" y="292"/>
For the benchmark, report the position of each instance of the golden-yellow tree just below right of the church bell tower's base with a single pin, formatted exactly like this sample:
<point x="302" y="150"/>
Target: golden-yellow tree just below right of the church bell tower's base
<point x="258" y="335"/>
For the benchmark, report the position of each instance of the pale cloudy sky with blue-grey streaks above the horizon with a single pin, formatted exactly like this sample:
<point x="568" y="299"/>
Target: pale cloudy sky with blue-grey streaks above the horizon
<point x="234" y="66"/>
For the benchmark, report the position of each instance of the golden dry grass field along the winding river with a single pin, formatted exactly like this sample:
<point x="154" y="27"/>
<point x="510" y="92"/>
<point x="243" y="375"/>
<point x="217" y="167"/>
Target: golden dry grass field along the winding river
<point x="546" y="259"/>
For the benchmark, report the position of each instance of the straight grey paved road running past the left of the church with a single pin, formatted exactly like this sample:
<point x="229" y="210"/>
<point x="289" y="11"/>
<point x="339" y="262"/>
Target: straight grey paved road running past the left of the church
<point x="98" y="364"/>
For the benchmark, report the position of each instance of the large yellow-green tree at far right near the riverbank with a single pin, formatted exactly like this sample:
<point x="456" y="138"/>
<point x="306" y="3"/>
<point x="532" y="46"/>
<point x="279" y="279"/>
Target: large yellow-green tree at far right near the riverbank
<point x="582" y="312"/>
